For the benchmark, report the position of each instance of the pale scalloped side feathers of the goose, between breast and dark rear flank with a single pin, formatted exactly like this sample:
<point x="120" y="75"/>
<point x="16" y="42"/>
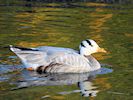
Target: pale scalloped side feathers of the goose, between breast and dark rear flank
<point x="75" y="62"/>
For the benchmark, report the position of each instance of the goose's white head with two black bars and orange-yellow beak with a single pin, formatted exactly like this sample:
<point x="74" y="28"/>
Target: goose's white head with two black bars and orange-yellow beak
<point x="87" y="47"/>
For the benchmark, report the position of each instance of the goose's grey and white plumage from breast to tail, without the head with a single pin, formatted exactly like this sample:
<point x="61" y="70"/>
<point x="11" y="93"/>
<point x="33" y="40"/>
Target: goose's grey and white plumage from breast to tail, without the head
<point x="60" y="59"/>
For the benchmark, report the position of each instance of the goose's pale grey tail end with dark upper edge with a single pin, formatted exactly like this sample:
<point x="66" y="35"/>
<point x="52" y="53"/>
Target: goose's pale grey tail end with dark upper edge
<point x="30" y="57"/>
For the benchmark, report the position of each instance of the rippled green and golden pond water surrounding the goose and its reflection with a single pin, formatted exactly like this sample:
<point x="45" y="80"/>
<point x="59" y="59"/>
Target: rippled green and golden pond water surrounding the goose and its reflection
<point x="27" y="24"/>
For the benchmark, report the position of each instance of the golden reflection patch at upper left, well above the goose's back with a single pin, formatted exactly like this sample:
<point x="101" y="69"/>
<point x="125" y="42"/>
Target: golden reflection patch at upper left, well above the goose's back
<point x="34" y="19"/>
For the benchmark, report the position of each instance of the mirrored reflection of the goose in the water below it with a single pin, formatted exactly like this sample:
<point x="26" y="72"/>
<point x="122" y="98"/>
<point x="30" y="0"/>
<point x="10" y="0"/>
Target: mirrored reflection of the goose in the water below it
<point x="83" y="81"/>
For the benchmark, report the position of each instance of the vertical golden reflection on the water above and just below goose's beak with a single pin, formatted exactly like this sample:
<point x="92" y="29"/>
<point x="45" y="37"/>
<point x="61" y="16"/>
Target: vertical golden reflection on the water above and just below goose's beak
<point x="97" y="26"/>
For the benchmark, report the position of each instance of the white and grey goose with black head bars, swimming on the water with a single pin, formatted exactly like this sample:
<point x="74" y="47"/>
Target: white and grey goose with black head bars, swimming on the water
<point x="56" y="59"/>
